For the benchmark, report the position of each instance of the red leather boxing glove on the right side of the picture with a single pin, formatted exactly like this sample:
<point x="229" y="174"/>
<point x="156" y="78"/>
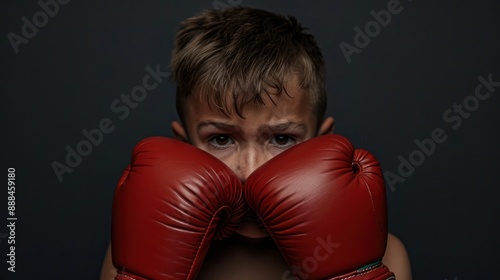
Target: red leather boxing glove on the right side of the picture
<point x="324" y="205"/>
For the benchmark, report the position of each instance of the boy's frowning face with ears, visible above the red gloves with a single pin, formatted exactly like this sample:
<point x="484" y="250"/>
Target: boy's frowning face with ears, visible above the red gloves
<point x="265" y="131"/>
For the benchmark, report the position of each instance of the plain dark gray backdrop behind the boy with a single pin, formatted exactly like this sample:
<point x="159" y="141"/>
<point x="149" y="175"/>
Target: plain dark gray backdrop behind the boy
<point x="393" y="92"/>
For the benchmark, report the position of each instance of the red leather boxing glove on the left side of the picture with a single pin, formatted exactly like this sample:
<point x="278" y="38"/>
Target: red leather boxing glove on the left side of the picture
<point x="168" y="206"/>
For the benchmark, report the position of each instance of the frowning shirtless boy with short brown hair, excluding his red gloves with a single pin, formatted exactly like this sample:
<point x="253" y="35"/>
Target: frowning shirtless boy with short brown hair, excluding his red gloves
<point x="250" y="84"/>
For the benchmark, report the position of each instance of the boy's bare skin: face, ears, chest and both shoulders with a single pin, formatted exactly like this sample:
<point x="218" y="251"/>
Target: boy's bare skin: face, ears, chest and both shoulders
<point x="244" y="144"/>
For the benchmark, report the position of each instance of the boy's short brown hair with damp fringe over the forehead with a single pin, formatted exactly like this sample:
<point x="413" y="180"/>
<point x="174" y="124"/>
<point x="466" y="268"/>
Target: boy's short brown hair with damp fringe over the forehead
<point x="245" y="52"/>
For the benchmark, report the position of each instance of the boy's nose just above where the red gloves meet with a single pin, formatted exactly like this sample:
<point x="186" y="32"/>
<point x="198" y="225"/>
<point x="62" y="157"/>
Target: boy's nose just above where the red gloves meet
<point x="248" y="159"/>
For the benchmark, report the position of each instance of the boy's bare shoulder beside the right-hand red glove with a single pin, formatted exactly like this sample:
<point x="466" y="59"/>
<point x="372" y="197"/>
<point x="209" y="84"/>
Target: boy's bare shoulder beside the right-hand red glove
<point x="396" y="258"/>
